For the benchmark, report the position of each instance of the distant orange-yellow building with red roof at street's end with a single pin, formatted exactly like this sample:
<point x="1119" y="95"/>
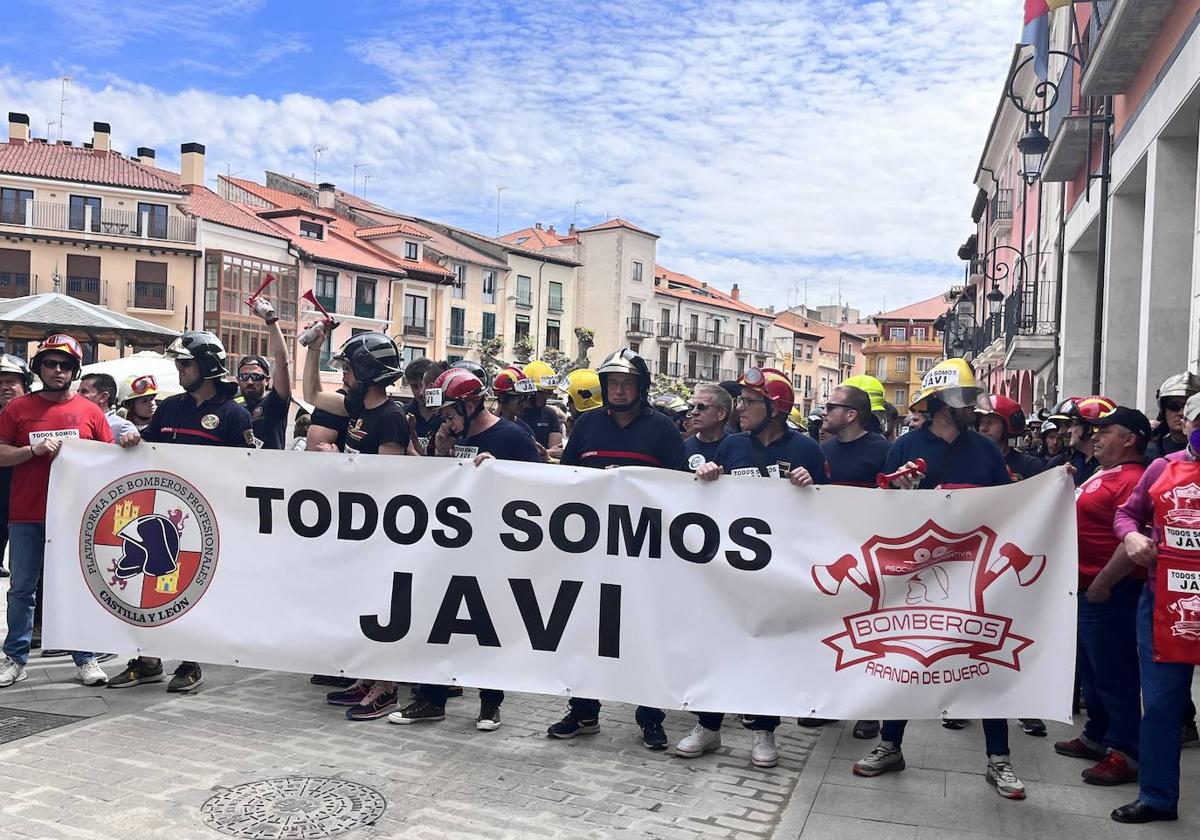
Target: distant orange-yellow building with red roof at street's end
<point x="905" y="346"/>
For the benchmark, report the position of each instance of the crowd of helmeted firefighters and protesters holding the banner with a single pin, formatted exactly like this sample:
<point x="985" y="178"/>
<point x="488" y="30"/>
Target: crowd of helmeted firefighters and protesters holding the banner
<point x="1138" y="707"/>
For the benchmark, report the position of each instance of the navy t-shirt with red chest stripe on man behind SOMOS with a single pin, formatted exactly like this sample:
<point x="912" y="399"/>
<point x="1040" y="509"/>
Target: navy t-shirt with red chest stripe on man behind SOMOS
<point x="651" y="441"/>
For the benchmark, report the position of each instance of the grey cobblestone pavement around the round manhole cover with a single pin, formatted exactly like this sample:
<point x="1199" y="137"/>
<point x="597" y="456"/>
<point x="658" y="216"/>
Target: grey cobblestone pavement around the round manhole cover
<point x="148" y="761"/>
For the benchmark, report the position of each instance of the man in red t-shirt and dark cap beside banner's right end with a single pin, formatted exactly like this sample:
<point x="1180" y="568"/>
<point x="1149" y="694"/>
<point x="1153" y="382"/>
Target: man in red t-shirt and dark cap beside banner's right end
<point x="1109" y="589"/>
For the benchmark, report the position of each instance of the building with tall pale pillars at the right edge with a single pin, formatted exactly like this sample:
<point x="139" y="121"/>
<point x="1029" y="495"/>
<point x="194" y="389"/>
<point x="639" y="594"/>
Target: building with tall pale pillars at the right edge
<point x="1138" y="284"/>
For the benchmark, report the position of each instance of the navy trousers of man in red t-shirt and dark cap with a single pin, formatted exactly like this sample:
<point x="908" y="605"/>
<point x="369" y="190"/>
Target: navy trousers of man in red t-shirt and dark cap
<point x="1108" y="668"/>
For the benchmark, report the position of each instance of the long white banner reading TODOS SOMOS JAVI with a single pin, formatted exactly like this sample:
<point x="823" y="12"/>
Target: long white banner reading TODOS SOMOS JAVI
<point x="745" y="596"/>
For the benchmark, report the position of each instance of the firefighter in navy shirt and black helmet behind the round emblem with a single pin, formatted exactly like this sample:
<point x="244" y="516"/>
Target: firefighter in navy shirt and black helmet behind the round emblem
<point x="206" y="415"/>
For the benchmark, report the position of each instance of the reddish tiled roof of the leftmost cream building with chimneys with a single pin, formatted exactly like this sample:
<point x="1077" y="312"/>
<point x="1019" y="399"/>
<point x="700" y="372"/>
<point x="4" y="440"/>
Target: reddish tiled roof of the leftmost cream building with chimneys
<point x="85" y="166"/>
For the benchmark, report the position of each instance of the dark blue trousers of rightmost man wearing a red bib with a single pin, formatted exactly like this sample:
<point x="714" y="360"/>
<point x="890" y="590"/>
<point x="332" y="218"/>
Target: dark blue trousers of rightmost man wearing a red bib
<point x="1166" y="689"/>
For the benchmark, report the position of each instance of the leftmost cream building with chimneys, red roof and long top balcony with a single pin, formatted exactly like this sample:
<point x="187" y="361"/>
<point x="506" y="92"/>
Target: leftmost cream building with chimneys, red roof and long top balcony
<point x="99" y="226"/>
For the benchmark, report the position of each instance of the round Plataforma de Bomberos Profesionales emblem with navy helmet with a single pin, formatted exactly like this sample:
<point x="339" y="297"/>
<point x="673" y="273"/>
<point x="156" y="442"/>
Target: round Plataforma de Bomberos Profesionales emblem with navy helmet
<point x="148" y="548"/>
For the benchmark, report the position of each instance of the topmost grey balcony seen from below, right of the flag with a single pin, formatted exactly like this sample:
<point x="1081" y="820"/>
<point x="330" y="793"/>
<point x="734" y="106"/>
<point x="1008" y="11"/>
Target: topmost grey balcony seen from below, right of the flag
<point x="1120" y="38"/>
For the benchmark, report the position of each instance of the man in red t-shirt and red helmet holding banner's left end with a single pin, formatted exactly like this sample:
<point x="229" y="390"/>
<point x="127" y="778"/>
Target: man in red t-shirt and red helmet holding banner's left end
<point x="33" y="429"/>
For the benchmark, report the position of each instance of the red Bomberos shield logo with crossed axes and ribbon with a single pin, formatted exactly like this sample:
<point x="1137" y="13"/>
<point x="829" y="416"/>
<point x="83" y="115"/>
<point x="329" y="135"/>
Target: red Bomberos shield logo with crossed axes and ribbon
<point x="927" y="592"/>
